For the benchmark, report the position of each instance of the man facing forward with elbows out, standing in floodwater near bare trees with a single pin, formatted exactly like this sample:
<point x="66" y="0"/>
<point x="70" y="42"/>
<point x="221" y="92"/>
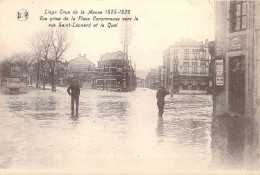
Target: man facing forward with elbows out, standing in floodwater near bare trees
<point x="74" y="91"/>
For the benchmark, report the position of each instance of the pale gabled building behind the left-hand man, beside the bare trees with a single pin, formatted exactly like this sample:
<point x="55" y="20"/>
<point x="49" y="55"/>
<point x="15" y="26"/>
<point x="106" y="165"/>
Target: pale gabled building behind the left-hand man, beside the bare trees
<point x="82" y="69"/>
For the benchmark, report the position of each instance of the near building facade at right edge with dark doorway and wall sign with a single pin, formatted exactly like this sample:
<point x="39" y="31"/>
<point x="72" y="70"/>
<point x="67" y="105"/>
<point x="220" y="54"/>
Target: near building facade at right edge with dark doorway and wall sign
<point x="237" y="60"/>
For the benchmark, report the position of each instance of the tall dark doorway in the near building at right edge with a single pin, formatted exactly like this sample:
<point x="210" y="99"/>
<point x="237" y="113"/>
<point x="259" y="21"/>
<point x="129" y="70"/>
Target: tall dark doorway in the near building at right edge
<point x="237" y="85"/>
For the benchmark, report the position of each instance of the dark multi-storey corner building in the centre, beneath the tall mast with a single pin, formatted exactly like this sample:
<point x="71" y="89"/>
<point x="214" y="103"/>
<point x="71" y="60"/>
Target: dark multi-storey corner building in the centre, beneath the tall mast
<point x="115" y="72"/>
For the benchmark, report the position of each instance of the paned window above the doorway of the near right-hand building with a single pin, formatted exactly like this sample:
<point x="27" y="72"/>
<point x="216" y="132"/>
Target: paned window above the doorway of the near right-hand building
<point x="237" y="15"/>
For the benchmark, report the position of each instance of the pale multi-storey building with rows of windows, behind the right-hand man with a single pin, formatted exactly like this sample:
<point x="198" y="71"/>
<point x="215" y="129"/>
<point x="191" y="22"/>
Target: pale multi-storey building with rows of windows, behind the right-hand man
<point x="186" y="66"/>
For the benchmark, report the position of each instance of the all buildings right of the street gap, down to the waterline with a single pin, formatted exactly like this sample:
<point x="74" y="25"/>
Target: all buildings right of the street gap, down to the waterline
<point x="229" y="66"/>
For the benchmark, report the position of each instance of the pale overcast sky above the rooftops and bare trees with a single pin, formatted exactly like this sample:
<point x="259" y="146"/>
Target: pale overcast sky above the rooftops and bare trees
<point x="160" y="24"/>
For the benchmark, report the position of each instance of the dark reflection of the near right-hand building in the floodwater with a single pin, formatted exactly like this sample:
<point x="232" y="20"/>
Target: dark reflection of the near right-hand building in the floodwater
<point x="234" y="143"/>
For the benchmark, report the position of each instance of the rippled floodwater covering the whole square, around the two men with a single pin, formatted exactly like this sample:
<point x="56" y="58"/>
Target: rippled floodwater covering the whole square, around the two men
<point x="119" y="132"/>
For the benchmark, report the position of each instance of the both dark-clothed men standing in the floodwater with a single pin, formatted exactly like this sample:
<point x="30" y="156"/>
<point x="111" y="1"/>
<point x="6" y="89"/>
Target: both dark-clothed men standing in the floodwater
<point x="74" y="91"/>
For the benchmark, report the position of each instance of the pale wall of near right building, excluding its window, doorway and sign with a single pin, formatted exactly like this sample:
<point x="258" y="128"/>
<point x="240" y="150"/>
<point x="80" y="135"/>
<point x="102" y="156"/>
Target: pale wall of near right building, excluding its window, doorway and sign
<point x="248" y="46"/>
